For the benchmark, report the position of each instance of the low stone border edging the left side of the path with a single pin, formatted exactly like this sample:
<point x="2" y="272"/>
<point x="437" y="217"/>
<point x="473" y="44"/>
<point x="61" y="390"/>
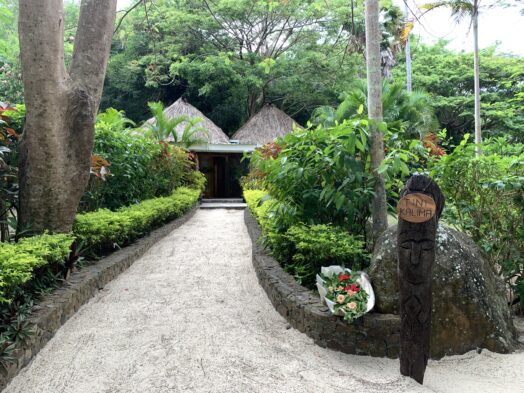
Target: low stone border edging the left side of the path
<point x="56" y="308"/>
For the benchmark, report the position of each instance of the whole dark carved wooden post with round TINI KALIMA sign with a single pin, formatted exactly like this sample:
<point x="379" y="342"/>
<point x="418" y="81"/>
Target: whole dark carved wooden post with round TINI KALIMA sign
<point x="419" y="210"/>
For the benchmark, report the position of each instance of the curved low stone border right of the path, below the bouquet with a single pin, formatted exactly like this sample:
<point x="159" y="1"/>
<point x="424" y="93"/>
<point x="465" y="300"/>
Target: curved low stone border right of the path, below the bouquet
<point x="373" y="334"/>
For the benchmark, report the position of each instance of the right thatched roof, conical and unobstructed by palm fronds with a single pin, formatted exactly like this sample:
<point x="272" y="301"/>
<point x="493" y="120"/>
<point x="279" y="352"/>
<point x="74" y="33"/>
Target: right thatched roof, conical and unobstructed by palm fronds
<point x="265" y="126"/>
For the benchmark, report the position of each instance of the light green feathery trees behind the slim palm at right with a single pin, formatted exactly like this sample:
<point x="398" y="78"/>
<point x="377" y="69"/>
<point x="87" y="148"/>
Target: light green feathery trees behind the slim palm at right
<point x="448" y="77"/>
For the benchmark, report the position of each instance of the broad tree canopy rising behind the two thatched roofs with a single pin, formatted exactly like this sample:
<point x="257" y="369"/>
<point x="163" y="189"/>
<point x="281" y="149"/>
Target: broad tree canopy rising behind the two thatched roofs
<point x="228" y="58"/>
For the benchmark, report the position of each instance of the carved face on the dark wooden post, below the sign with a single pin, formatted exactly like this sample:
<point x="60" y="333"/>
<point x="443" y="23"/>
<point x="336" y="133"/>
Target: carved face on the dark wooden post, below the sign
<point x="416" y="250"/>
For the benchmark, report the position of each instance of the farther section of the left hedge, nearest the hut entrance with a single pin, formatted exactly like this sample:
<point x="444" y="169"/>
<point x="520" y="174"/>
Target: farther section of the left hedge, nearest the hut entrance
<point x="104" y="230"/>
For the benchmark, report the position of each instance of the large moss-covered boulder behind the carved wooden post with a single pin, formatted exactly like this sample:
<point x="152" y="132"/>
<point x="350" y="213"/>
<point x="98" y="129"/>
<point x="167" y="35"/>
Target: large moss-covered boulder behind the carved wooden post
<point x="469" y="304"/>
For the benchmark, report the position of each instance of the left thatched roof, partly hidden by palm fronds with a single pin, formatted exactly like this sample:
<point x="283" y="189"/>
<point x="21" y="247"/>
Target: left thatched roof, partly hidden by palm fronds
<point x="183" y="108"/>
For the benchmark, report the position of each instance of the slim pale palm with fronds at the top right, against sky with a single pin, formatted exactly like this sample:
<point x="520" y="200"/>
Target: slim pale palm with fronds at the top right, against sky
<point x="461" y="9"/>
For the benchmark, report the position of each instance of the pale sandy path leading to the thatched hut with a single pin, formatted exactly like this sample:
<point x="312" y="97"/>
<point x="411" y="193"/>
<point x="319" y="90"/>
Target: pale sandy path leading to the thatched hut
<point x="190" y="317"/>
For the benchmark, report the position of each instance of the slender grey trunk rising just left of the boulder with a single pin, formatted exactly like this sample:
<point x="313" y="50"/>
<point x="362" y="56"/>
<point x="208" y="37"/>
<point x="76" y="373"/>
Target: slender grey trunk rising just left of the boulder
<point x="374" y="77"/>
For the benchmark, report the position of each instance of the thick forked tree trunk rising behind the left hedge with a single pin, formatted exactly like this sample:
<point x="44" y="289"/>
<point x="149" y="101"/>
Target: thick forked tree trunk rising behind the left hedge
<point x="58" y="137"/>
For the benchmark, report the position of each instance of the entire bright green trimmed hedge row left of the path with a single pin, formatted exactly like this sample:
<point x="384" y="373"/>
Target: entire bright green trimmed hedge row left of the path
<point x="99" y="231"/>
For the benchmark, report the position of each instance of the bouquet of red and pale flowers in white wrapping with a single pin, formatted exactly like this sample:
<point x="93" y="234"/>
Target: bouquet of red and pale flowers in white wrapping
<point x="346" y="293"/>
